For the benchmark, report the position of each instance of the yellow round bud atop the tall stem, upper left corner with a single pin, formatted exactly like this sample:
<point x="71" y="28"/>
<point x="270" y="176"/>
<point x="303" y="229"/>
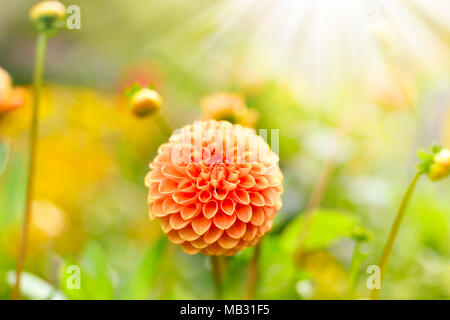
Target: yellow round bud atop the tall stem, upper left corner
<point x="48" y="15"/>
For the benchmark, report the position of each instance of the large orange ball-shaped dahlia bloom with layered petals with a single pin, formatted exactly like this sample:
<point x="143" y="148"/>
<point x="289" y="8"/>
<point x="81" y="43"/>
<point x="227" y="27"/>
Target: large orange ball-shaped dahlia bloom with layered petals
<point x="215" y="187"/>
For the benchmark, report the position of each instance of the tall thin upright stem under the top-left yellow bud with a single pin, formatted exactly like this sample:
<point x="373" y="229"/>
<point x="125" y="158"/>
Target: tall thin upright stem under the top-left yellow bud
<point x="34" y="130"/>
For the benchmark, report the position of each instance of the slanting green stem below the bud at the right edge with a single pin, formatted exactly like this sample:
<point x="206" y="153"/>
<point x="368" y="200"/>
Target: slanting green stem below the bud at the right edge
<point x="394" y="230"/>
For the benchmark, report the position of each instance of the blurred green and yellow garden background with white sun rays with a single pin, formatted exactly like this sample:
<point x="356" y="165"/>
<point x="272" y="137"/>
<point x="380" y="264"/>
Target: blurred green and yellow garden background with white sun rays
<point x="363" y="83"/>
